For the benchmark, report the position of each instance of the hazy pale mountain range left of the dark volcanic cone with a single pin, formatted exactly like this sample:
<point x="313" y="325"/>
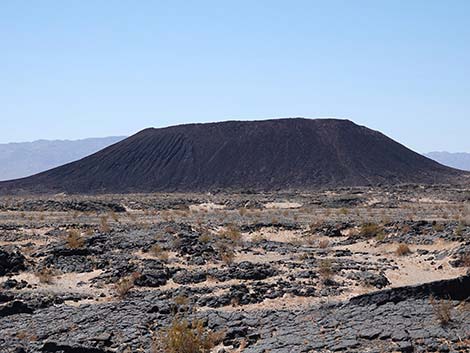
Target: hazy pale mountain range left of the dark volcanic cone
<point x="22" y="159"/>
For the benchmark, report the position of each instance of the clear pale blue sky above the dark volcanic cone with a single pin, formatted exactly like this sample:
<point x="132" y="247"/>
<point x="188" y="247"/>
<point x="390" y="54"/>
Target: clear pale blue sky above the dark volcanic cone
<point x="74" y="69"/>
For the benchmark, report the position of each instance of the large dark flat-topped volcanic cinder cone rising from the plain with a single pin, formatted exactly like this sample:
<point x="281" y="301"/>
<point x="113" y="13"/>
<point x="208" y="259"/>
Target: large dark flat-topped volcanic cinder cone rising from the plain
<point x="237" y="155"/>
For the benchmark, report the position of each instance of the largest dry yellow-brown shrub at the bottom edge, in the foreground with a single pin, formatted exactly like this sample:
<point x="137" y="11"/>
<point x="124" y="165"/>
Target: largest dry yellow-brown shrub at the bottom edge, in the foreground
<point x="183" y="337"/>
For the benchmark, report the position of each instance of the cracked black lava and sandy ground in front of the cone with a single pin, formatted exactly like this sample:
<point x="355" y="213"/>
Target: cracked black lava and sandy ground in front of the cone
<point x="351" y="270"/>
